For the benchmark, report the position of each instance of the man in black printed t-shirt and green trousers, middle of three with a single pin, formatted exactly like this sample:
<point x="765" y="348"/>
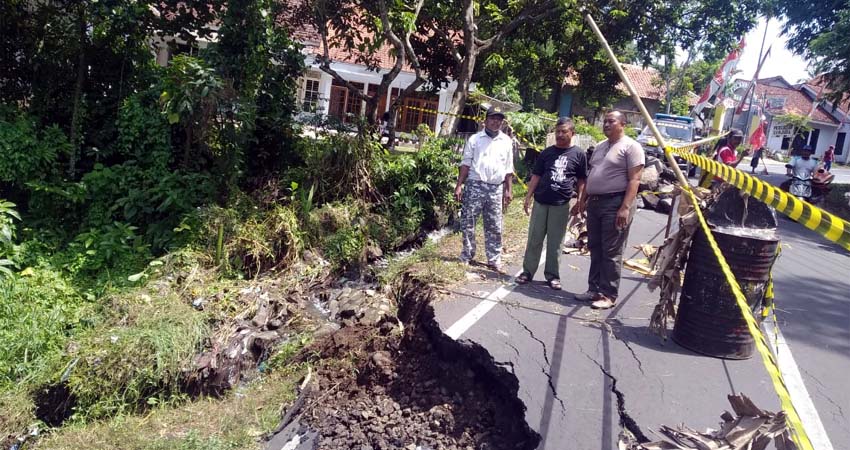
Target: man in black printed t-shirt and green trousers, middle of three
<point x="558" y="173"/>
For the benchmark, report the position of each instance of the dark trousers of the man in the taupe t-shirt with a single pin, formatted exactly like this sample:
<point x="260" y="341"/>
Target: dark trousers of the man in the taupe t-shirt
<point x="606" y="244"/>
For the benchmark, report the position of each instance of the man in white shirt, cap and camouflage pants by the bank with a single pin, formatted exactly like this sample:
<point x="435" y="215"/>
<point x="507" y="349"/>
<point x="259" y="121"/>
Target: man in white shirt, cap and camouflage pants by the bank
<point x="486" y="171"/>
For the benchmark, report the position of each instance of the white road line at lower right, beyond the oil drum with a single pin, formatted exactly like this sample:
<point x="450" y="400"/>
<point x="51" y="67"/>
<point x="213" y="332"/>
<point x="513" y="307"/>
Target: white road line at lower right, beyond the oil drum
<point x="799" y="395"/>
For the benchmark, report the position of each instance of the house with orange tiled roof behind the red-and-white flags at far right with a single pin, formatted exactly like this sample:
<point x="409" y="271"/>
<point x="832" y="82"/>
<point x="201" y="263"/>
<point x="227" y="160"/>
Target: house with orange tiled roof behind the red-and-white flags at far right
<point x="775" y="96"/>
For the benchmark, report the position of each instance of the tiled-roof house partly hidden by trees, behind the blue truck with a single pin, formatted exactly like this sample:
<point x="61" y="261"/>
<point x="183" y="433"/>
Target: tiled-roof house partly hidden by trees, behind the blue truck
<point x="647" y="82"/>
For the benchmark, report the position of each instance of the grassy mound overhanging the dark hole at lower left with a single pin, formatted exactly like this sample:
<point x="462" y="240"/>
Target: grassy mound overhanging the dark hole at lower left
<point x="135" y="358"/>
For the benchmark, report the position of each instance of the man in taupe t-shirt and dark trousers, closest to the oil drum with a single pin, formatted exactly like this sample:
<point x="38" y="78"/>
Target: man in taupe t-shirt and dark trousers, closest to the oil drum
<point x="609" y="200"/>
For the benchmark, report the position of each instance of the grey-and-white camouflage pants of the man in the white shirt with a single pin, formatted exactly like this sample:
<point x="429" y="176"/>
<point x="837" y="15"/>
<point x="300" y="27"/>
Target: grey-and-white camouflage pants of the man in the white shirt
<point x="484" y="199"/>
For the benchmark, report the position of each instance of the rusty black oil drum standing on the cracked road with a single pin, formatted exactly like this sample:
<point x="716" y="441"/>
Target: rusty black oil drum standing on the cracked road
<point x="708" y="320"/>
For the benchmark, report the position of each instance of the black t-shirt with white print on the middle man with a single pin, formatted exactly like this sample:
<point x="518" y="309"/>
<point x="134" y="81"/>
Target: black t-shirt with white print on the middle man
<point x="558" y="169"/>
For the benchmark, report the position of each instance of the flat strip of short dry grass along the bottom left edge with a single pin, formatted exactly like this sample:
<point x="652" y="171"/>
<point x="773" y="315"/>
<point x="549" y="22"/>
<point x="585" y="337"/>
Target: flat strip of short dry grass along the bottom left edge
<point x="237" y="421"/>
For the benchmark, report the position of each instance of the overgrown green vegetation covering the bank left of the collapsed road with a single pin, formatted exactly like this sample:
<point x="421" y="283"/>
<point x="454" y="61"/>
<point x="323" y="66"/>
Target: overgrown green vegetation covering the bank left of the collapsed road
<point x="125" y="243"/>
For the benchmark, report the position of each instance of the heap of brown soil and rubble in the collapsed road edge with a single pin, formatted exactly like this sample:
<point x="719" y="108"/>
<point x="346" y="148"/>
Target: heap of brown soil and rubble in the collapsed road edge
<point x="404" y="384"/>
